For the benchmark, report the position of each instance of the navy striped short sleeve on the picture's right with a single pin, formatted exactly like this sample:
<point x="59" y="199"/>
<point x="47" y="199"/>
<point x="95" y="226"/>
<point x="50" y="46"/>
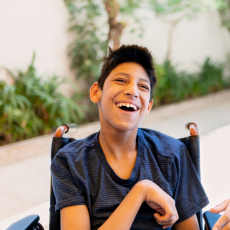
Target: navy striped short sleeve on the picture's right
<point x="189" y="194"/>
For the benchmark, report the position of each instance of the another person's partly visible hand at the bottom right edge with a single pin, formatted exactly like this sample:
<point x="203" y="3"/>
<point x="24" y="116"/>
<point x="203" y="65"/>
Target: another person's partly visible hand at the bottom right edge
<point x="223" y="222"/>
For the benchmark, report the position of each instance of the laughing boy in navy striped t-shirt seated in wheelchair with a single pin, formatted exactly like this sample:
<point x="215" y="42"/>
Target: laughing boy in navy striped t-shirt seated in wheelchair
<point x="124" y="177"/>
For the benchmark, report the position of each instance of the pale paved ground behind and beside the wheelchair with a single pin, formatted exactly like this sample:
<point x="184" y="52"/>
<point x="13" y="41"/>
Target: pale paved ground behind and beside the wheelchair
<point x="24" y="185"/>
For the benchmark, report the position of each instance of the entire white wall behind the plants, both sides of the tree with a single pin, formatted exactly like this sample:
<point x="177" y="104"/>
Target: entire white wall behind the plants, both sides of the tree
<point x="41" y="25"/>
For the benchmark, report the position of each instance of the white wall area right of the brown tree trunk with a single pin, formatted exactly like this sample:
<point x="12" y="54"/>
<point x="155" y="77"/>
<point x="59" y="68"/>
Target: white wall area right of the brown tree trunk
<point x="193" y="41"/>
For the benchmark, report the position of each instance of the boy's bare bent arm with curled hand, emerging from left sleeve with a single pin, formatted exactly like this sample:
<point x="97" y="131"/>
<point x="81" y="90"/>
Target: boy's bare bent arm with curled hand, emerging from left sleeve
<point x="77" y="217"/>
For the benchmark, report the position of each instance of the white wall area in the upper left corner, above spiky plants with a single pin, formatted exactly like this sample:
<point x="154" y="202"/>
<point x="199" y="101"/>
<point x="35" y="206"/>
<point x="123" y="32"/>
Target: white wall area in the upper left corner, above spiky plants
<point x="39" y="25"/>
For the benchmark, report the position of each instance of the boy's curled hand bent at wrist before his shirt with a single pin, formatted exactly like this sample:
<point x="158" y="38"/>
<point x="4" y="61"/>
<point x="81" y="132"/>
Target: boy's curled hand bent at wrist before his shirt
<point x="160" y="201"/>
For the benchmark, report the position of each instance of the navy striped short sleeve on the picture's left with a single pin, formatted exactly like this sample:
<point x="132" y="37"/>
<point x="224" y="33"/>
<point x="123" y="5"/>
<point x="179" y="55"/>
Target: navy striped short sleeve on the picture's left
<point x="65" y="190"/>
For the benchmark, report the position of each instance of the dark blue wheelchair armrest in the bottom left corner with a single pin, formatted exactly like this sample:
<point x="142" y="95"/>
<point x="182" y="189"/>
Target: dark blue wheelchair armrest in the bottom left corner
<point x="27" y="223"/>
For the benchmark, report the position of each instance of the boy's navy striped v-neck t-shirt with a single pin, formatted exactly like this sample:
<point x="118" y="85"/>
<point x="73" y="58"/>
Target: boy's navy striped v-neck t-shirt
<point x="82" y="175"/>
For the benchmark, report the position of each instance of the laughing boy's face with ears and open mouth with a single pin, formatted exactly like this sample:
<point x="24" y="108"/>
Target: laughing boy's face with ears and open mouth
<point x="124" y="100"/>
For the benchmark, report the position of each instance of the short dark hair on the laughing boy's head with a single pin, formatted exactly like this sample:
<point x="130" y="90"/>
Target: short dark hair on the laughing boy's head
<point x="129" y="53"/>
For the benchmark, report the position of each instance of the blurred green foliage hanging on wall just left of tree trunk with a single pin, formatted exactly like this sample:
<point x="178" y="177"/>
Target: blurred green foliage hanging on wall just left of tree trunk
<point x="89" y="42"/>
